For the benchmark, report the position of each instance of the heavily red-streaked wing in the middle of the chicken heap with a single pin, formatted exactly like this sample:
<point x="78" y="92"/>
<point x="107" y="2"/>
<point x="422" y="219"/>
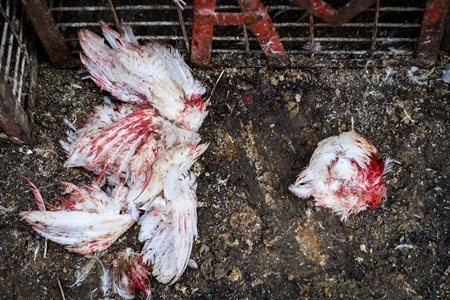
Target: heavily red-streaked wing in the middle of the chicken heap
<point x="109" y="138"/>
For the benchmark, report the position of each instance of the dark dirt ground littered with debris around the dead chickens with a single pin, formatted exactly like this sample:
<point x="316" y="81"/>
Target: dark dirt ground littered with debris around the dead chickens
<point x="256" y="239"/>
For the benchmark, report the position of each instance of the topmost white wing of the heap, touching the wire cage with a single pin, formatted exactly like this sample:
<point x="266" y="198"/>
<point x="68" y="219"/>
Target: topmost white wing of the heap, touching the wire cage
<point x="144" y="74"/>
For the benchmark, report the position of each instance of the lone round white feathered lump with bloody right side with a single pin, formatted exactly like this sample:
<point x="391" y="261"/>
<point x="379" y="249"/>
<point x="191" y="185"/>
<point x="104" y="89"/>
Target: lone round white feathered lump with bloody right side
<point x="344" y="174"/>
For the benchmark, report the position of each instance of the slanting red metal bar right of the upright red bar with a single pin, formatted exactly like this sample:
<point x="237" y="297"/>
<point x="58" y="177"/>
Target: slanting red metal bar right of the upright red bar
<point x="264" y="32"/>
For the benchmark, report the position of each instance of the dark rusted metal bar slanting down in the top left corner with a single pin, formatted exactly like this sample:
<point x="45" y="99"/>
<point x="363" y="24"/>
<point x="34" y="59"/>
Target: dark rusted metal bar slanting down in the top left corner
<point x="41" y="17"/>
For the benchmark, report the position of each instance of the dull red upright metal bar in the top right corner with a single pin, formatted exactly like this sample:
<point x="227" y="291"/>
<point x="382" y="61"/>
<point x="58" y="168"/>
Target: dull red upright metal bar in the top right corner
<point x="431" y="32"/>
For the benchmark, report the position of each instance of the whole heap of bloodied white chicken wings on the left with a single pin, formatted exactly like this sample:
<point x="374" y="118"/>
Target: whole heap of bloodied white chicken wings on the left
<point x="144" y="149"/>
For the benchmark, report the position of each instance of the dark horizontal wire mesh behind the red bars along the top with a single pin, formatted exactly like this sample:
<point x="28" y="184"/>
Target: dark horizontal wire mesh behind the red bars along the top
<point x="387" y="32"/>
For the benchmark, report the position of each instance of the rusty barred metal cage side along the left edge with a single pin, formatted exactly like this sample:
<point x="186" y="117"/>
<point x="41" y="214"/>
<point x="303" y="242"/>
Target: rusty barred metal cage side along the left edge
<point x="17" y="75"/>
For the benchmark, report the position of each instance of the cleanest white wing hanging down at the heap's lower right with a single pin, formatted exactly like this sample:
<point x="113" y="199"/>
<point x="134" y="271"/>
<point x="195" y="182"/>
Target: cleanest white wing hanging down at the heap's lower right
<point x="169" y="202"/>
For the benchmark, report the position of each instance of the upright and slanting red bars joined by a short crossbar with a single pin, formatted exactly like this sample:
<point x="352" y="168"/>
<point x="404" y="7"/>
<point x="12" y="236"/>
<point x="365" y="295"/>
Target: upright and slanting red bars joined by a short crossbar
<point x="253" y="13"/>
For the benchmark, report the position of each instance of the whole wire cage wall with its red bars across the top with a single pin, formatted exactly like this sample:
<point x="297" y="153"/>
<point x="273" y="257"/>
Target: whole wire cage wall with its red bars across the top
<point x="395" y="32"/>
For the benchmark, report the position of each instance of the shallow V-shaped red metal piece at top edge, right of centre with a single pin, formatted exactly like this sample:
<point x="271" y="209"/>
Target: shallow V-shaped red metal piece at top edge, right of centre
<point x="326" y="12"/>
